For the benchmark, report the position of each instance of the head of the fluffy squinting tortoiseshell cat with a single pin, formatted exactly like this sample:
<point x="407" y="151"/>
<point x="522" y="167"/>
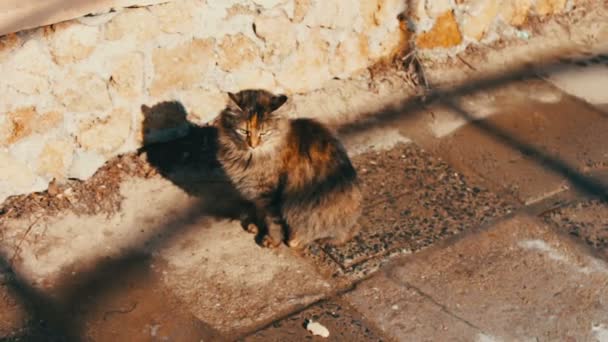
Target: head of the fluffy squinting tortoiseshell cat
<point x="250" y="120"/>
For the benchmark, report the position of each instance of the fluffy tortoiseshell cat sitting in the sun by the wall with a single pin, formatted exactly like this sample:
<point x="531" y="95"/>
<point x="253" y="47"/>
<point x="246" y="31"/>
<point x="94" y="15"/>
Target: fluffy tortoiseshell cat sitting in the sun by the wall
<point x="295" y="171"/>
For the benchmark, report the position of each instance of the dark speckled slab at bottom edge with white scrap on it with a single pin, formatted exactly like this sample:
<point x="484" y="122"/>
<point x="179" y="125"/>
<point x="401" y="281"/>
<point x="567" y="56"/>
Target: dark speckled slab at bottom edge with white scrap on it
<point x="343" y="323"/>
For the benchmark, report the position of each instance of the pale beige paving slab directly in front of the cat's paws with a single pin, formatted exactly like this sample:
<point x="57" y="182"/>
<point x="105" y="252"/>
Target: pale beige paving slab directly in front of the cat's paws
<point x="229" y="282"/>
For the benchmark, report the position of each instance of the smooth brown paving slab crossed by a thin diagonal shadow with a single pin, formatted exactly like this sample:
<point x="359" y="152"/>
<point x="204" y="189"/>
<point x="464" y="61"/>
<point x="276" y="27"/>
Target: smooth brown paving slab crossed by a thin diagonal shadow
<point x="531" y="148"/>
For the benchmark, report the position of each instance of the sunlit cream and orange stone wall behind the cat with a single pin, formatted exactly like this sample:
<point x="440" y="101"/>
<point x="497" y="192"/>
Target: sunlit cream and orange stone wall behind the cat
<point x="71" y="93"/>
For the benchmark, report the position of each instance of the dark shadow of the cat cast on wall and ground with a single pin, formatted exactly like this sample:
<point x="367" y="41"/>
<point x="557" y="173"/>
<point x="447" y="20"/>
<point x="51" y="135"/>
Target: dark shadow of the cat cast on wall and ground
<point x="186" y="154"/>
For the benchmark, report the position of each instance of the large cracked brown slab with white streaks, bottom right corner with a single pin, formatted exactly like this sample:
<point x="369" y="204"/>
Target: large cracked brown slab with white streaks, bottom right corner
<point x="516" y="281"/>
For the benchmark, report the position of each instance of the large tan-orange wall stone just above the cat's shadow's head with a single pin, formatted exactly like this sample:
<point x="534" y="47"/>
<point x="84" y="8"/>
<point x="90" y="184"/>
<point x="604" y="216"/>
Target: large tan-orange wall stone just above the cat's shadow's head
<point x="194" y="59"/>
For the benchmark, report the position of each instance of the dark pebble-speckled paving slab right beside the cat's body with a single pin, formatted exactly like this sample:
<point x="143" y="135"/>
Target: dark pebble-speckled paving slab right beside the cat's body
<point x="412" y="200"/>
